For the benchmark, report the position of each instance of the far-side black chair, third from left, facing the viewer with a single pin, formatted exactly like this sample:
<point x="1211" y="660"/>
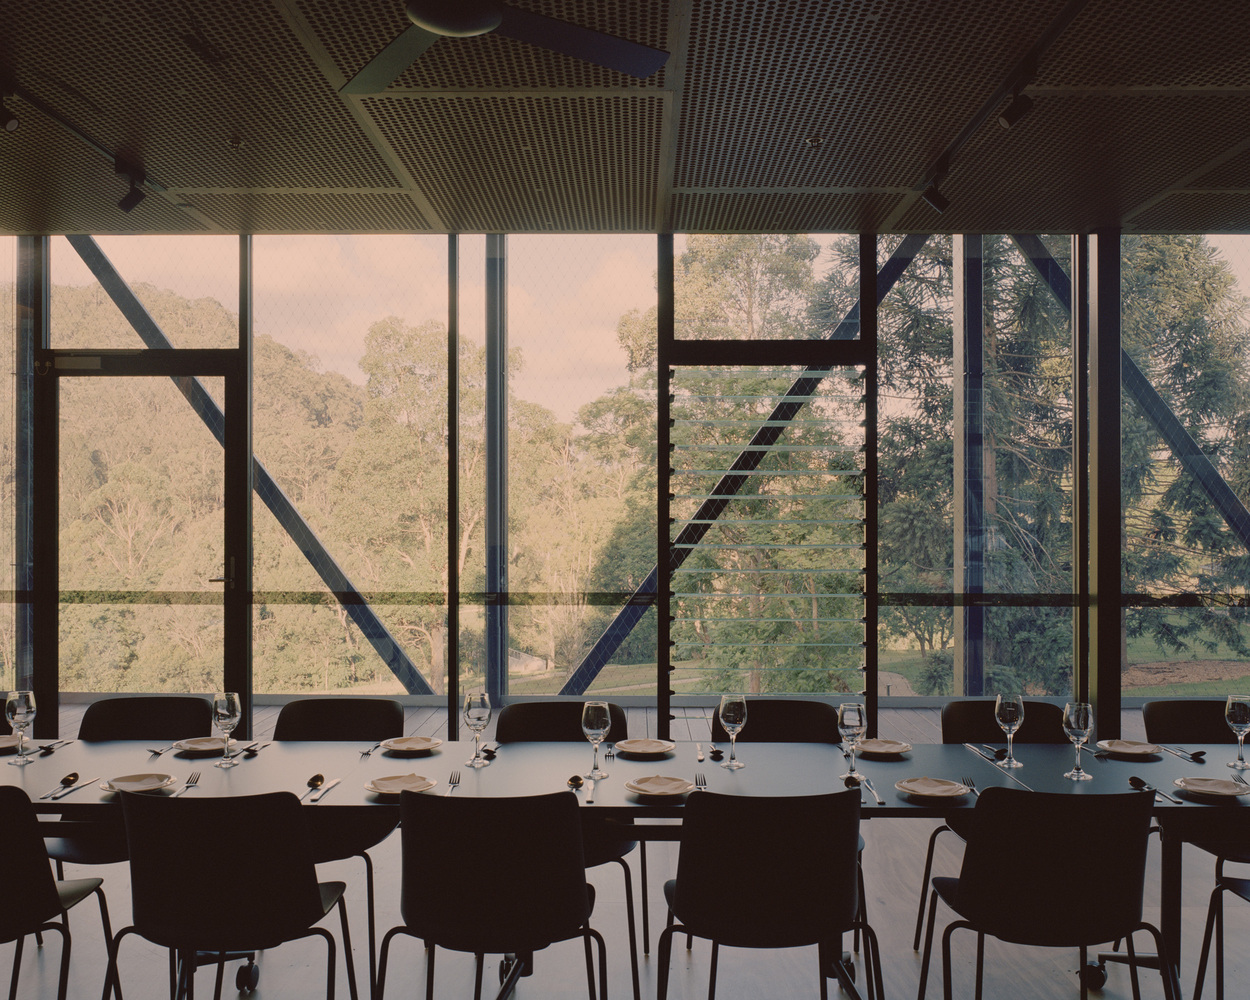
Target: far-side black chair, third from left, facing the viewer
<point x="604" y="842"/>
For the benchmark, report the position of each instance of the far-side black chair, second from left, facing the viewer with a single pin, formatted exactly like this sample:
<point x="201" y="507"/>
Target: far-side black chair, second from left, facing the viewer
<point x="334" y="837"/>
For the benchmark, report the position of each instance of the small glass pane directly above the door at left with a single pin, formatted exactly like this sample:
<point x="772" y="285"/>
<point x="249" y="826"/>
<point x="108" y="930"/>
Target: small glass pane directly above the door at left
<point x="188" y="284"/>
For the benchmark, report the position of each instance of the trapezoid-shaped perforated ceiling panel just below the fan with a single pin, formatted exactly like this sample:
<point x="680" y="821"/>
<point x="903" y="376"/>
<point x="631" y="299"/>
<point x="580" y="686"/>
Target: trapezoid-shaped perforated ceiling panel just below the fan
<point x="531" y="164"/>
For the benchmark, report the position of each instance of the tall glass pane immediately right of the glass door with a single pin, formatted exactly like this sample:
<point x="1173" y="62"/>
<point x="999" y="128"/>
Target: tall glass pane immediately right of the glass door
<point x="349" y="423"/>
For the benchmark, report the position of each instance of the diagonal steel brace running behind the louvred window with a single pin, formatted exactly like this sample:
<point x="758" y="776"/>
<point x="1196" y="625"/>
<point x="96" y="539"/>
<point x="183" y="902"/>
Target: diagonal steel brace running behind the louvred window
<point x="747" y="462"/>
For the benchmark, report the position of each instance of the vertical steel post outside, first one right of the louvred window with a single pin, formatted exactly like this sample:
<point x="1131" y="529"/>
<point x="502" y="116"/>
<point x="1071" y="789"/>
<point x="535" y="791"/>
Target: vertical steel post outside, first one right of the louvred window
<point x="969" y="332"/>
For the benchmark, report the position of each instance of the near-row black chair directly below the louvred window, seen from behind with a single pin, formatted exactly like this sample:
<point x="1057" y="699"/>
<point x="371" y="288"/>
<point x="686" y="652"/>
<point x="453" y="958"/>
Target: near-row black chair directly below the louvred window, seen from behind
<point x="762" y="872"/>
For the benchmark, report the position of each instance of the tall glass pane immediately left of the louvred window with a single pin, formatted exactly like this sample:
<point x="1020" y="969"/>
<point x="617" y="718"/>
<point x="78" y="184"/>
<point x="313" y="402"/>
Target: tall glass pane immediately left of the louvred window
<point x="582" y="457"/>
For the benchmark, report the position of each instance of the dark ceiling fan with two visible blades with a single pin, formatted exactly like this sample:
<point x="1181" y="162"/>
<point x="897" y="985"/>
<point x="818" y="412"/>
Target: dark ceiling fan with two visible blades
<point x="434" y="19"/>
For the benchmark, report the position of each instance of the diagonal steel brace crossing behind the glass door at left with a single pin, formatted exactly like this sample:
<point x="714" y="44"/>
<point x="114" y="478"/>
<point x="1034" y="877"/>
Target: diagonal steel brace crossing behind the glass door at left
<point x="271" y="493"/>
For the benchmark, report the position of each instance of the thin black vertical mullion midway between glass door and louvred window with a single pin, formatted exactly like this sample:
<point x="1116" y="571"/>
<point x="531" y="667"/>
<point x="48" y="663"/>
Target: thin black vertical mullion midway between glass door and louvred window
<point x="453" y="618"/>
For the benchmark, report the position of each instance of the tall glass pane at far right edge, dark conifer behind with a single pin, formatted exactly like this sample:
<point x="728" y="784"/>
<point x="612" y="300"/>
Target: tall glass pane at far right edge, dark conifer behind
<point x="1184" y="482"/>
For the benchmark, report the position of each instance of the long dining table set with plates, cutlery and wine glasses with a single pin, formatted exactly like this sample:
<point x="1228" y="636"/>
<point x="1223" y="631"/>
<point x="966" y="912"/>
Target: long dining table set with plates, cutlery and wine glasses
<point x="771" y="769"/>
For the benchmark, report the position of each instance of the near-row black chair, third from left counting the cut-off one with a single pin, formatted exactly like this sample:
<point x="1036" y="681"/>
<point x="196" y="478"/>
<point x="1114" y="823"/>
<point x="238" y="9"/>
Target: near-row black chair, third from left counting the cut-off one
<point x="509" y="894"/>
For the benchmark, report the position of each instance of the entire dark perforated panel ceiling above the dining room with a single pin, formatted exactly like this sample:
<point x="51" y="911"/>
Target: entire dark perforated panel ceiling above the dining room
<point x="769" y="116"/>
